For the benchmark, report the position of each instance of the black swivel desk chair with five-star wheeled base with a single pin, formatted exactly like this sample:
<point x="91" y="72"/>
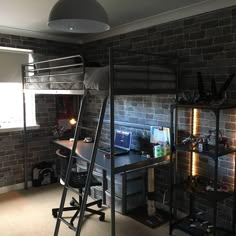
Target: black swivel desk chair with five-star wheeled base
<point x="77" y="180"/>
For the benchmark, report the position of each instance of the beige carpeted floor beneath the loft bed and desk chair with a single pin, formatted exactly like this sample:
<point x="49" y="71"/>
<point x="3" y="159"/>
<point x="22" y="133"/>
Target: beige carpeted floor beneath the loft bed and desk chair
<point x="28" y="213"/>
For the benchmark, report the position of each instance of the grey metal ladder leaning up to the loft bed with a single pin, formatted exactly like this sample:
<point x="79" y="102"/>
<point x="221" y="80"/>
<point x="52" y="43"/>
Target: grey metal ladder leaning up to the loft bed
<point x="98" y="129"/>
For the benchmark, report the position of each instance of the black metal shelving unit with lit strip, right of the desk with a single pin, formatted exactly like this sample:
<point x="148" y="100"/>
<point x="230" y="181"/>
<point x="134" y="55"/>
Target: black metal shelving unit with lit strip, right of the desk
<point x="187" y="224"/>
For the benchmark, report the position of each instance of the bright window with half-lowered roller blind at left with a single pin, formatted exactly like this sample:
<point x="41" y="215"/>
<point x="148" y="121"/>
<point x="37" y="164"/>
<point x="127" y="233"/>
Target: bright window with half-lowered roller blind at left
<point x="11" y="97"/>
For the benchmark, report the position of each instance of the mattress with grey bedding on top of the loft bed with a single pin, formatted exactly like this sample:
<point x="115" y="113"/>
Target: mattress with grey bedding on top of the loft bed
<point x="97" y="78"/>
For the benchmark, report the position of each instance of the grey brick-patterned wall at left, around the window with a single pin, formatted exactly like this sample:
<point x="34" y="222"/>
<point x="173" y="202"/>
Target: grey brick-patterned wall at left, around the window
<point x="39" y="141"/>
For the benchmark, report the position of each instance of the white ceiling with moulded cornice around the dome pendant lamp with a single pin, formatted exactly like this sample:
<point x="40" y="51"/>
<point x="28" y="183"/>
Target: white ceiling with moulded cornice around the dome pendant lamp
<point x="29" y="17"/>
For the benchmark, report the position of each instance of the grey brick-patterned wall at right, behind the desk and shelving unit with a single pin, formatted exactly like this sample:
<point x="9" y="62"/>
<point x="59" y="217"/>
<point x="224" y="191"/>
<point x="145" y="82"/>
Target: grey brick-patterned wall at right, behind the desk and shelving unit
<point x="204" y="43"/>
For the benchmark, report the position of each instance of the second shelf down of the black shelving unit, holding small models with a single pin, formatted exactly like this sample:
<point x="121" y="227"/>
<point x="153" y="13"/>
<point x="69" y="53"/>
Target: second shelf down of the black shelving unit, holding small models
<point x="210" y="153"/>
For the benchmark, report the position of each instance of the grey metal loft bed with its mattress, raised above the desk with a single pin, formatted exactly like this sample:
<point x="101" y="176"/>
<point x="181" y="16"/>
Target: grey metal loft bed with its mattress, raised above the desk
<point x="137" y="74"/>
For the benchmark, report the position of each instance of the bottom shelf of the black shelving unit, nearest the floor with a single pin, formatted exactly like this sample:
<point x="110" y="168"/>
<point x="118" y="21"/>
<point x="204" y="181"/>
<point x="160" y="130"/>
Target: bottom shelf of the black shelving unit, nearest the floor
<point x="199" y="230"/>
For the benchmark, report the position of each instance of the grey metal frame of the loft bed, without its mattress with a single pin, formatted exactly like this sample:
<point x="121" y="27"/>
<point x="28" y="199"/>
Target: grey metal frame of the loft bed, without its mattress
<point x="111" y="93"/>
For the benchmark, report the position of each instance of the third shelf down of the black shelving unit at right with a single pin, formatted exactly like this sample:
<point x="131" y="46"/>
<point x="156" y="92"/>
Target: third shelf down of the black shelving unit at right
<point x="200" y="191"/>
